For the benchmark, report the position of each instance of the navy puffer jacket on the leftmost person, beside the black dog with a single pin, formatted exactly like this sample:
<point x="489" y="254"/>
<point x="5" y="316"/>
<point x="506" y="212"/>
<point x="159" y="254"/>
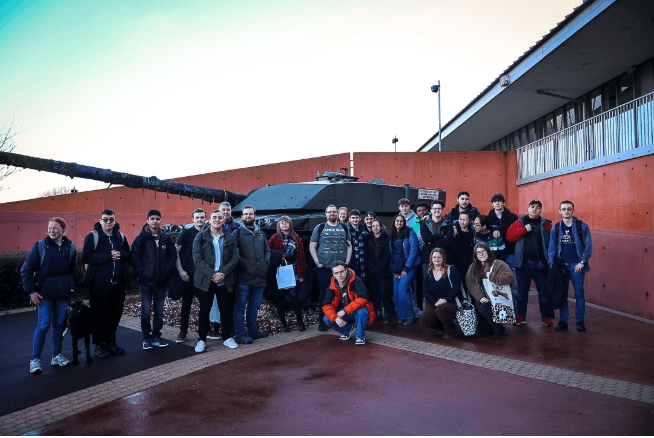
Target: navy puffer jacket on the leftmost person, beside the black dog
<point x="54" y="277"/>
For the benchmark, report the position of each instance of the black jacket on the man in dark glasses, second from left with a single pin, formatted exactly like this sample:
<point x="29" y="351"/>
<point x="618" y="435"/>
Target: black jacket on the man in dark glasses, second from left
<point x="100" y="266"/>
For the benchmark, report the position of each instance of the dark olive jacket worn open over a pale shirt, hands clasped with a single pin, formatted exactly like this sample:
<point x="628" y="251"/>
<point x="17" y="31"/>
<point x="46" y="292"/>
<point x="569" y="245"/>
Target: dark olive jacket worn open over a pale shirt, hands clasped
<point x="204" y="256"/>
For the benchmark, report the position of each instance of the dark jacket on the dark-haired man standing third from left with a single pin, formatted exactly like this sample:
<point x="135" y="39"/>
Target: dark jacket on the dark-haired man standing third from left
<point x="153" y="265"/>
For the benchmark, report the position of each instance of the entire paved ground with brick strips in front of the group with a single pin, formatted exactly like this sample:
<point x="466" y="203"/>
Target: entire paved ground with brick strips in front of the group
<point x="404" y="381"/>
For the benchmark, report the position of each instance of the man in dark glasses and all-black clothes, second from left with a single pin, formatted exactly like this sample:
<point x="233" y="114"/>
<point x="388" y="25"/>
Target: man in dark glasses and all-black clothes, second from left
<point x="105" y="255"/>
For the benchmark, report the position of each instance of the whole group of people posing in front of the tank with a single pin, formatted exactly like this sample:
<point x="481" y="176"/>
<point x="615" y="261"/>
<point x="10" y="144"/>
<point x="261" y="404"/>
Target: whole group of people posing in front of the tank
<point x="365" y="273"/>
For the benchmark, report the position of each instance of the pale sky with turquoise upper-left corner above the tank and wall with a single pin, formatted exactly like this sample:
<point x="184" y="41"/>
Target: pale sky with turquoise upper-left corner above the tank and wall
<point x="170" y="88"/>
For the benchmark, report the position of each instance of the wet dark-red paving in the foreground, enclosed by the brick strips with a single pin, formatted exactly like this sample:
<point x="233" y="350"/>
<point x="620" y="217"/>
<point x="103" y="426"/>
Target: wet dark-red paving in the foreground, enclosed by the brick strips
<point x="323" y="386"/>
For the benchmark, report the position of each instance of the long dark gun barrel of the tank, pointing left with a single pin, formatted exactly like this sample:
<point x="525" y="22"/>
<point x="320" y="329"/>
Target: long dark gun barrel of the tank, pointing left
<point x="73" y="170"/>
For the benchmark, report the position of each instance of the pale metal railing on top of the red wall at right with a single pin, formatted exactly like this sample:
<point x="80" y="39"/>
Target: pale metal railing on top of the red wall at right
<point x="621" y="129"/>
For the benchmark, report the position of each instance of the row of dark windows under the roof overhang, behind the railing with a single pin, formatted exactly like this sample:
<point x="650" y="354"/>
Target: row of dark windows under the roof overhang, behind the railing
<point x="618" y="91"/>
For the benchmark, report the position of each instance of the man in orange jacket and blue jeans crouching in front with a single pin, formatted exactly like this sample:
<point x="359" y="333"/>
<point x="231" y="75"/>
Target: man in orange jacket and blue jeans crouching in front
<point x="347" y="304"/>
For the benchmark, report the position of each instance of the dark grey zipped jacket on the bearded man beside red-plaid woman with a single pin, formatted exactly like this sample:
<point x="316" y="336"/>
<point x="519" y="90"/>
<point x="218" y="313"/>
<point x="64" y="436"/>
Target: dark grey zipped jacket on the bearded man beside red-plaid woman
<point x="254" y="255"/>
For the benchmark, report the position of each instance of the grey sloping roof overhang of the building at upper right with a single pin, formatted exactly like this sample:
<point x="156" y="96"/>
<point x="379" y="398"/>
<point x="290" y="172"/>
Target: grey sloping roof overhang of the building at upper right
<point x="600" y="40"/>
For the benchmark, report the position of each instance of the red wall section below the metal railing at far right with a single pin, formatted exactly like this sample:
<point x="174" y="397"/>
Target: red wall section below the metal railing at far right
<point x="616" y="200"/>
